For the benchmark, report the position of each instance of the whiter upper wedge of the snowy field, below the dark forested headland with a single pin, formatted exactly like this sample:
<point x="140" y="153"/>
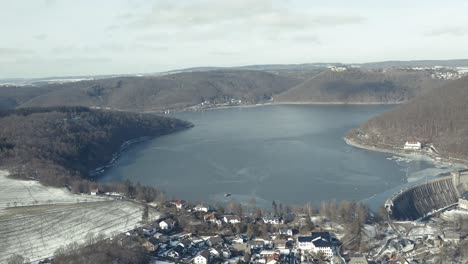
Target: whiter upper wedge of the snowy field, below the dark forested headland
<point x="14" y="193"/>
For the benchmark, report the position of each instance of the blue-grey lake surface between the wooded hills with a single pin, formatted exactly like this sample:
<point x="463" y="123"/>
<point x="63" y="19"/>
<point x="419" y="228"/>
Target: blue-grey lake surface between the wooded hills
<point x="293" y="154"/>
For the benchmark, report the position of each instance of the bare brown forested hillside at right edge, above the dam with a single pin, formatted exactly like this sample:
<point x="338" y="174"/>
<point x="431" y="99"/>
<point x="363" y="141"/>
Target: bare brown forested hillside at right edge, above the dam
<point x="439" y="117"/>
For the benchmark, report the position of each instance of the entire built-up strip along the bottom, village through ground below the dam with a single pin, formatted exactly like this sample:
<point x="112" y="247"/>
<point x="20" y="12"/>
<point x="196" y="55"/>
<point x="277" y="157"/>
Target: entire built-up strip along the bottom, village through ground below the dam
<point x="201" y="234"/>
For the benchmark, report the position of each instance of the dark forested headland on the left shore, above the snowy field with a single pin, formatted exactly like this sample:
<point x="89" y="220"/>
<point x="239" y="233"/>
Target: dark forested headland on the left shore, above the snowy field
<point x="61" y="144"/>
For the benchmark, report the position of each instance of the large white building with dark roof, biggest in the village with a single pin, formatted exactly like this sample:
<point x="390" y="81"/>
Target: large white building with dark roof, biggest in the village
<point x="317" y="241"/>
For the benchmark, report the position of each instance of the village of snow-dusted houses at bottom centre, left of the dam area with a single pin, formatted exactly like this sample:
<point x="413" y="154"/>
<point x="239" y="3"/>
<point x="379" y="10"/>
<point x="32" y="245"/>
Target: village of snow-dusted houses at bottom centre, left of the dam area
<point x="201" y="235"/>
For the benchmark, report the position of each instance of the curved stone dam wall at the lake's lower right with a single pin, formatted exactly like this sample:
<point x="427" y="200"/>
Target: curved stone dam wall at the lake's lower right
<point x="418" y="201"/>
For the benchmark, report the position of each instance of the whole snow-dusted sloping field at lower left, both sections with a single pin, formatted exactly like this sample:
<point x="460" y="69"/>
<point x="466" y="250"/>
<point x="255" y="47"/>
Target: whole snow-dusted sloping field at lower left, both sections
<point x="36" y="231"/>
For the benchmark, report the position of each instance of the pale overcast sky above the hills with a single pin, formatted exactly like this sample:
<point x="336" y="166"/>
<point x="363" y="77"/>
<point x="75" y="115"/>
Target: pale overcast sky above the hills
<point x="89" y="37"/>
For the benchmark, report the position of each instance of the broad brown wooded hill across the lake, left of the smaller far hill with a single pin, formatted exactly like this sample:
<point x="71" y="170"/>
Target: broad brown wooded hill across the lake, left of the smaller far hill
<point x="167" y="92"/>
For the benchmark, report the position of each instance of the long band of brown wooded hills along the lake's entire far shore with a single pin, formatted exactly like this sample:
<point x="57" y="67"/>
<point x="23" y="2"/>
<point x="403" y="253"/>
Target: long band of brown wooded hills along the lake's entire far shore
<point x="268" y="83"/>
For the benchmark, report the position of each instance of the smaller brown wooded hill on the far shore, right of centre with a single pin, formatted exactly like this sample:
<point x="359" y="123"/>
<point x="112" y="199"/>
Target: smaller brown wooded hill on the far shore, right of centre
<point x="357" y="86"/>
